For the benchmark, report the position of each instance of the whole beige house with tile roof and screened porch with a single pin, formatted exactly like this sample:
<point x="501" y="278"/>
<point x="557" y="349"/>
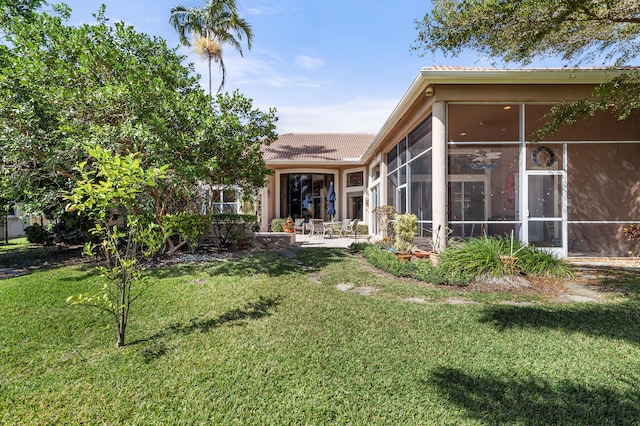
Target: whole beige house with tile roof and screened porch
<point x="457" y="152"/>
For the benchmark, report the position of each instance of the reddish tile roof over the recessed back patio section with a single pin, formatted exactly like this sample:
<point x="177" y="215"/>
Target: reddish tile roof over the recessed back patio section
<point x="318" y="147"/>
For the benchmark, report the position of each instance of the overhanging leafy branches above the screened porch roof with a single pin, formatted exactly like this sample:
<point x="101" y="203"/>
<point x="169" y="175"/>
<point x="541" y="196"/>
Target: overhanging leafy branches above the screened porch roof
<point x="519" y="31"/>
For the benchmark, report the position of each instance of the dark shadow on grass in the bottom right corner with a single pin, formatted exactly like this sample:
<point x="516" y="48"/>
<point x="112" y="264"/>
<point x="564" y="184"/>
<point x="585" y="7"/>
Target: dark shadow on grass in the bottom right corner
<point x="507" y="400"/>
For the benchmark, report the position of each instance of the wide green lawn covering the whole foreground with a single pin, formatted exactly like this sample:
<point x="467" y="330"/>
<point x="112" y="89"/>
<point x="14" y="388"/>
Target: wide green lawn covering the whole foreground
<point x="268" y="339"/>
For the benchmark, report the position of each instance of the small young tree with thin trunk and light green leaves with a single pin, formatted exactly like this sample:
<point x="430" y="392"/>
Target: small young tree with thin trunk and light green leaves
<point x="114" y="183"/>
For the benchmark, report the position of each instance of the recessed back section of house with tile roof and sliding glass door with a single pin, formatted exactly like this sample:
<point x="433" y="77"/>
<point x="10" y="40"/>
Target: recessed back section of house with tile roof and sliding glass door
<point x="304" y="167"/>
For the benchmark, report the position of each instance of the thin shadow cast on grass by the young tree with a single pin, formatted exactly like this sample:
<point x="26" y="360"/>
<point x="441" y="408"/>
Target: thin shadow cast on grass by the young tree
<point x="155" y="347"/>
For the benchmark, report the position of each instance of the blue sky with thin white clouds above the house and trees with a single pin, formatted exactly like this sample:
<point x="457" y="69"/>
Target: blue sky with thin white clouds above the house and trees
<point x="326" y="66"/>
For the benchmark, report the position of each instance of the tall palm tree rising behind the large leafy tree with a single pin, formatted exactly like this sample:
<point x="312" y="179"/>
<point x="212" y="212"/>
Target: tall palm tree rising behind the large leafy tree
<point x="208" y="28"/>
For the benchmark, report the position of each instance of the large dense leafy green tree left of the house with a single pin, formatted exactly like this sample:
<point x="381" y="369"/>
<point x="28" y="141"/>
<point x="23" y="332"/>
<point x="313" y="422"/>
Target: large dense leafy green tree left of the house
<point x="64" y="87"/>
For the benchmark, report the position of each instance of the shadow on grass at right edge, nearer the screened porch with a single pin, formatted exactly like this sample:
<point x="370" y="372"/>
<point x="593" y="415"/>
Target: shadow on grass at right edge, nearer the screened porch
<point x="613" y="320"/>
